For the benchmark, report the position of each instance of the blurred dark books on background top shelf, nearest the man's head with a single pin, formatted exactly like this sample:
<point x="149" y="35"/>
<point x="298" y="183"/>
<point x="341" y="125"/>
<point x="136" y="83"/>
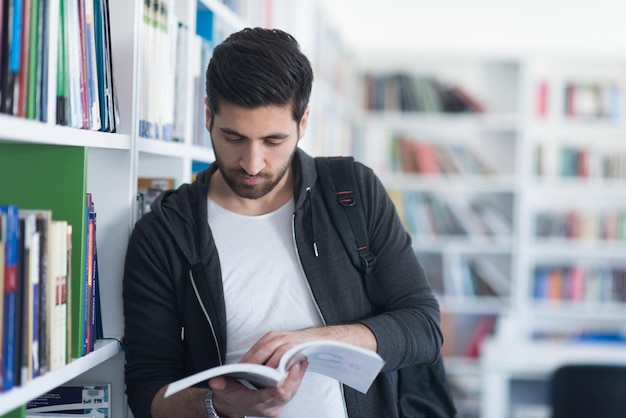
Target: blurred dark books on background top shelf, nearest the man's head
<point x="414" y="93"/>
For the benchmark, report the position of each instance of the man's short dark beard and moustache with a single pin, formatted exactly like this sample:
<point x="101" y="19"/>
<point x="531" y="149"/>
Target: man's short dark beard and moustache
<point x="252" y="191"/>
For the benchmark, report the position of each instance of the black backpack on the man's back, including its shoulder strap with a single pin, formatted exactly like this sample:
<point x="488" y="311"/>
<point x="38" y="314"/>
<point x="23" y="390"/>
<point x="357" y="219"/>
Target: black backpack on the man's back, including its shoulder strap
<point x="423" y="390"/>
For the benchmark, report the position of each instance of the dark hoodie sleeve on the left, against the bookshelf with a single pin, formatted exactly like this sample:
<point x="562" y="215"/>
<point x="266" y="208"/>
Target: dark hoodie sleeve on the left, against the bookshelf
<point x="152" y="329"/>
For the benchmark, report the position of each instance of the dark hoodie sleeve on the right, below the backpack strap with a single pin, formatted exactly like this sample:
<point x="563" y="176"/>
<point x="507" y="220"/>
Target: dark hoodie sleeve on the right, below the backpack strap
<point x="408" y="330"/>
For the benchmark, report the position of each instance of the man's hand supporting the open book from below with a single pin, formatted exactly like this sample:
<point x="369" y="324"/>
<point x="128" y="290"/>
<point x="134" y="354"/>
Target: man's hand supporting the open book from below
<point x="231" y="398"/>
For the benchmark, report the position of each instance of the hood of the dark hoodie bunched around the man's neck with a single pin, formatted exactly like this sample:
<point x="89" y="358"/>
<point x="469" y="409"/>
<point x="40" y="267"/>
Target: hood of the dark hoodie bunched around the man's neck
<point x="183" y="211"/>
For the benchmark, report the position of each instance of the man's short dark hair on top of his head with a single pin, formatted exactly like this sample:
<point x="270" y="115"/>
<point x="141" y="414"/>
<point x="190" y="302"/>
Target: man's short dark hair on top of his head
<point x="259" y="67"/>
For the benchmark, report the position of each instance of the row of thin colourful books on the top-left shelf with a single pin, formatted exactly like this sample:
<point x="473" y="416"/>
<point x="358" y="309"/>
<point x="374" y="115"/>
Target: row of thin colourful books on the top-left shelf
<point x="56" y="64"/>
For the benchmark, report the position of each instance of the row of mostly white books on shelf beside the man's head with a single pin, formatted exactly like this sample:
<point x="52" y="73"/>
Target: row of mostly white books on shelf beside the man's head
<point x="173" y="60"/>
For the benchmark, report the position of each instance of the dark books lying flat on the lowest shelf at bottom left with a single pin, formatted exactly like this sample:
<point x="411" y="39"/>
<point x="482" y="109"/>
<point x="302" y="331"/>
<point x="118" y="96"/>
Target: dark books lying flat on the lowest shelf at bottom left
<point x="73" y="400"/>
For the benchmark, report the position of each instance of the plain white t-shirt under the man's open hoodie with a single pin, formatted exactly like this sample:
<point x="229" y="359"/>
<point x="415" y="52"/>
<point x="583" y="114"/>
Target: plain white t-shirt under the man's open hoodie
<point x="265" y="290"/>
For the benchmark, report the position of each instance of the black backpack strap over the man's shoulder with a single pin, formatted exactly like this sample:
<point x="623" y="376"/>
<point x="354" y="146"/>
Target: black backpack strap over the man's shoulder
<point x="341" y="195"/>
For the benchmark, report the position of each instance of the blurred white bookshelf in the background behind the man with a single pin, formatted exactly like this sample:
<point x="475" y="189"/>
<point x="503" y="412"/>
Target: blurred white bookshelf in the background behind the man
<point x="507" y="135"/>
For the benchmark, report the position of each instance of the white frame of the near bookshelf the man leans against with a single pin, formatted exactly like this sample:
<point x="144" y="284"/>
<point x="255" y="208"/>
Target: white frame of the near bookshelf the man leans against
<point x="114" y="162"/>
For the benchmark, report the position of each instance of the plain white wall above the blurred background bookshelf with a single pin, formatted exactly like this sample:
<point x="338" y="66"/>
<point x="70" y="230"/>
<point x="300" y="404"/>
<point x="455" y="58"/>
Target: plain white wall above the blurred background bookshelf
<point x="481" y="26"/>
